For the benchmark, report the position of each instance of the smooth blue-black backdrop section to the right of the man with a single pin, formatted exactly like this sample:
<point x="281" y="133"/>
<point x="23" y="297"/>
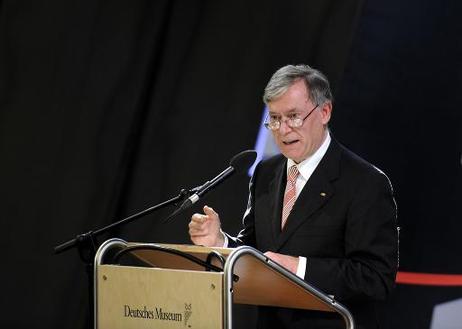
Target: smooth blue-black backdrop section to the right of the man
<point x="398" y="105"/>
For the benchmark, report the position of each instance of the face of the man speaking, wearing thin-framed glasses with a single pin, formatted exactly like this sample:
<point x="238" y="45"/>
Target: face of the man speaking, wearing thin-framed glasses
<point x="299" y="143"/>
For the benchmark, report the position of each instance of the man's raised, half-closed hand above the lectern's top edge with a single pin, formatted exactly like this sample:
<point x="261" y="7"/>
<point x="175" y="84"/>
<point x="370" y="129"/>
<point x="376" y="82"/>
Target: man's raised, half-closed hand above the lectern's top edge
<point x="204" y="230"/>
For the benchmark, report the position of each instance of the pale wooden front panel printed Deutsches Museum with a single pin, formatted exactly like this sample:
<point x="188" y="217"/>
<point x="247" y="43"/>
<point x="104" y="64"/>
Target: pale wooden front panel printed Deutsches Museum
<point x="138" y="298"/>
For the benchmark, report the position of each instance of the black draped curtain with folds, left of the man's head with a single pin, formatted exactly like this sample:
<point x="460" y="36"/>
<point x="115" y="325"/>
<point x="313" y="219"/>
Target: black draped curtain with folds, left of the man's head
<point x="109" y="107"/>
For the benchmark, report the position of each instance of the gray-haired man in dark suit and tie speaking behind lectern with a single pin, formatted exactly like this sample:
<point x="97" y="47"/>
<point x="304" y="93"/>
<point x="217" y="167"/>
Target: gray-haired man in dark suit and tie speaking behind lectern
<point x="318" y="209"/>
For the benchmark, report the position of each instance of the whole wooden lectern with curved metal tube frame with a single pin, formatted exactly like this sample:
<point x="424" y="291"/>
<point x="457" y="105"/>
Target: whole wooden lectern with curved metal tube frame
<point x="140" y="285"/>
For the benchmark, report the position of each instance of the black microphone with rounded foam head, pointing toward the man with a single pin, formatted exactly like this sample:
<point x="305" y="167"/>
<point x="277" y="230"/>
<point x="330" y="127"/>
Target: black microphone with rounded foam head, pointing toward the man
<point x="239" y="163"/>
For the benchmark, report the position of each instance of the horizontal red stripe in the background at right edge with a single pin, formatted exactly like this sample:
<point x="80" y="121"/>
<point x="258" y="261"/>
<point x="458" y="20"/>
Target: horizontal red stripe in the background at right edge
<point x="427" y="279"/>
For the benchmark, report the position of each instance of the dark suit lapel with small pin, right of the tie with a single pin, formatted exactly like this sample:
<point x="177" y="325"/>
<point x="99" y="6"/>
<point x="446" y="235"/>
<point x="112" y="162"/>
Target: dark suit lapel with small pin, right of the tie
<point x="317" y="191"/>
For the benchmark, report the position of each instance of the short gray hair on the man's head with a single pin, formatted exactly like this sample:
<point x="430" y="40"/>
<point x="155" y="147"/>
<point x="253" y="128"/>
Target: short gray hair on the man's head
<point x="316" y="83"/>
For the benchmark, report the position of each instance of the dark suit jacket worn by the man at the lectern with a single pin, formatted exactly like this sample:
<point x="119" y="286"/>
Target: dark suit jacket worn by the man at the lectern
<point x="343" y="222"/>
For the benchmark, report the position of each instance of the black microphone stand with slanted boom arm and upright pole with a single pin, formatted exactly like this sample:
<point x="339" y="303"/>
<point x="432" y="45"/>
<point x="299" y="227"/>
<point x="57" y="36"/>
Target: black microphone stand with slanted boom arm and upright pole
<point x="86" y="242"/>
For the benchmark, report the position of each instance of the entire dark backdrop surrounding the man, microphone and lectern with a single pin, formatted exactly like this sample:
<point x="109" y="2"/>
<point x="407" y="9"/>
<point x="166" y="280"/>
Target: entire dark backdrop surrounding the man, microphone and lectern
<point x="108" y="107"/>
